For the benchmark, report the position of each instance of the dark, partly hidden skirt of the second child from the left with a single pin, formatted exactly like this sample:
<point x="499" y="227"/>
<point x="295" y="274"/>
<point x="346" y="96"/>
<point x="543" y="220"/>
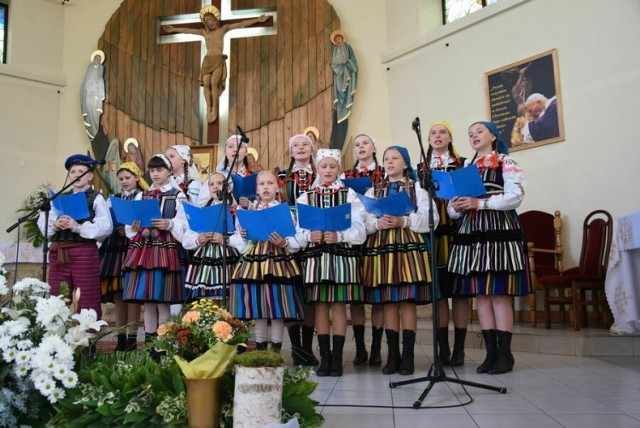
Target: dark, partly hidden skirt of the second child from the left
<point x="112" y="254"/>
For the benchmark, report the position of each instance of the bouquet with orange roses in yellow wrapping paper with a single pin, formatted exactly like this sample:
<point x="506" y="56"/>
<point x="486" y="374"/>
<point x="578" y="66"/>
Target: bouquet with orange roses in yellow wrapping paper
<point x="203" y="340"/>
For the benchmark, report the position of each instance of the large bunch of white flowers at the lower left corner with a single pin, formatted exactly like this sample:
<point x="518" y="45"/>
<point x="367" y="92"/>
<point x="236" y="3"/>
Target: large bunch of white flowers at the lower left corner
<point x="39" y="340"/>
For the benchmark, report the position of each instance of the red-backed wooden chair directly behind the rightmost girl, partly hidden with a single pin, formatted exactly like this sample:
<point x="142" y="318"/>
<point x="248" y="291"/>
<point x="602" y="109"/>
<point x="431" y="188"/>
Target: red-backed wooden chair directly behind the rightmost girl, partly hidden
<point x="543" y="232"/>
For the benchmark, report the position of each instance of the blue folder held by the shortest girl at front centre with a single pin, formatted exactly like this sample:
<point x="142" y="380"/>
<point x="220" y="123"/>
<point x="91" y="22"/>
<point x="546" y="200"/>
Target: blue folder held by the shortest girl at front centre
<point x="260" y="224"/>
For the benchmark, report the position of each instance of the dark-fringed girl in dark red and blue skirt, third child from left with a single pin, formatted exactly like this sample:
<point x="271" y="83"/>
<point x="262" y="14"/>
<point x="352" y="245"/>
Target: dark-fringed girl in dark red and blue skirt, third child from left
<point x="153" y="268"/>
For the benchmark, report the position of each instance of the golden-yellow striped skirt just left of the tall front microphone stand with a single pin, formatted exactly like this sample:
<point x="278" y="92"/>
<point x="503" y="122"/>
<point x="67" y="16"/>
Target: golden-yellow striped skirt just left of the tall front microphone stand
<point x="396" y="267"/>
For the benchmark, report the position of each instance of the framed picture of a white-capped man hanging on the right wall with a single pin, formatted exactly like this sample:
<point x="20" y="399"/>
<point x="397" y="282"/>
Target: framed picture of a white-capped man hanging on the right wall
<point x="523" y="99"/>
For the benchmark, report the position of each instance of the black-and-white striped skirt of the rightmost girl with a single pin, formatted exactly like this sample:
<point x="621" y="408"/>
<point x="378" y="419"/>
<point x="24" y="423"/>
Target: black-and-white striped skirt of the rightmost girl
<point x="489" y="256"/>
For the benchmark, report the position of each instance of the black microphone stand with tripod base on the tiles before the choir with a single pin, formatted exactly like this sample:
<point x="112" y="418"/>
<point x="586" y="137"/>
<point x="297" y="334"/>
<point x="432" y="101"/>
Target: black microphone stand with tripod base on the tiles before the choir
<point x="436" y="373"/>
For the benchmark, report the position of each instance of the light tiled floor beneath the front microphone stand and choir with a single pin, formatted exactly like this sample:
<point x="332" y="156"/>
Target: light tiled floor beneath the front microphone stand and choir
<point x="544" y="390"/>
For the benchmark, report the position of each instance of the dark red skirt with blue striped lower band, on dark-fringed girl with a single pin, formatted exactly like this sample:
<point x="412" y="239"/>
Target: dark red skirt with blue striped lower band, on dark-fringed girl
<point x="153" y="271"/>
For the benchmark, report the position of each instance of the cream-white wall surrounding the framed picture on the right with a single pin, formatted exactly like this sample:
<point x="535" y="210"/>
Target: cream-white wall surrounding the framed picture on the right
<point x="596" y="166"/>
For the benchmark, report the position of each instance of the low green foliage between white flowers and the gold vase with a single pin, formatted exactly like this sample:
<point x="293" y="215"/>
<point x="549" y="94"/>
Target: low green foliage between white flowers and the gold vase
<point x="124" y="389"/>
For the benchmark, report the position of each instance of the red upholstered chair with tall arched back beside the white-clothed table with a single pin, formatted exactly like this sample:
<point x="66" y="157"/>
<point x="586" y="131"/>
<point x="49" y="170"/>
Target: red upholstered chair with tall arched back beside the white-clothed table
<point x="571" y="284"/>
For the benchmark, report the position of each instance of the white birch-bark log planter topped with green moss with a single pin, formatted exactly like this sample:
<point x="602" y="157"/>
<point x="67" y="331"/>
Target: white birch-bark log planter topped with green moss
<point x="257" y="398"/>
